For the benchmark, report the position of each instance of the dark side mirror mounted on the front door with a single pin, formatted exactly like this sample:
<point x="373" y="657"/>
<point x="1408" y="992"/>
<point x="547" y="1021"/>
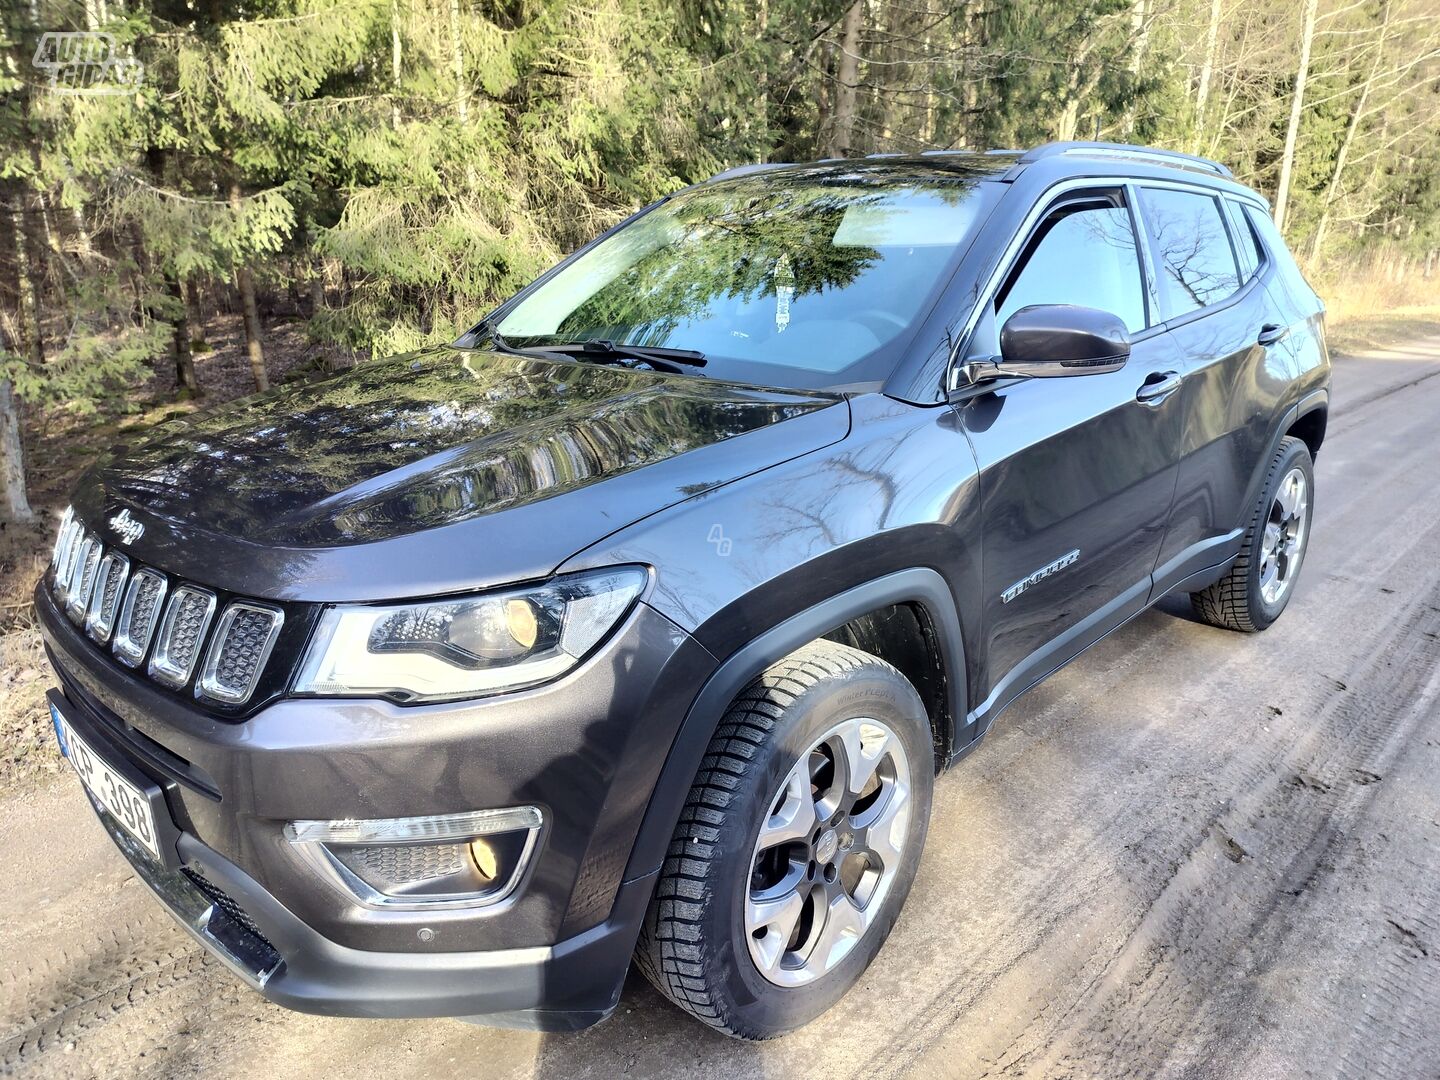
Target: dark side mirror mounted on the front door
<point x="1046" y="341"/>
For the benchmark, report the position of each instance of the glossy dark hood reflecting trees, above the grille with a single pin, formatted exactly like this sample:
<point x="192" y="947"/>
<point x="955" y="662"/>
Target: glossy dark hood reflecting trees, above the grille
<point x="486" y="467"/>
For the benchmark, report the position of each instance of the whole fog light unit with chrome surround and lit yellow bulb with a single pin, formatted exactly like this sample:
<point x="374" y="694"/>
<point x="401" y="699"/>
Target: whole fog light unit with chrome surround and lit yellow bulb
<point x="453" y="860"/>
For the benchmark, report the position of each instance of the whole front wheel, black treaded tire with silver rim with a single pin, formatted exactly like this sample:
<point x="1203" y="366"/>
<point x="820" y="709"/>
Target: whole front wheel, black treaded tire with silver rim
<point x="761" y="771"/>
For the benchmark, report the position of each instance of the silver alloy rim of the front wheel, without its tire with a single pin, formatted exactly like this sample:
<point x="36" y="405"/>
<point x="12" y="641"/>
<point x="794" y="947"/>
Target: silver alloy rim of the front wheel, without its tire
<point x="829" y="852"/>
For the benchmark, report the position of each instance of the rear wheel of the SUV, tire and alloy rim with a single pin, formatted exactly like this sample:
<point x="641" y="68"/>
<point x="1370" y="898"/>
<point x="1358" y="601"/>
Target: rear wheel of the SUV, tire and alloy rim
<point x="1249" y="598"/>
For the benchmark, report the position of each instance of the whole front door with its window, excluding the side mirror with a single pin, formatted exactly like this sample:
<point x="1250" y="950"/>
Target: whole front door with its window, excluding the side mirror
<point x="1078" y="474"/>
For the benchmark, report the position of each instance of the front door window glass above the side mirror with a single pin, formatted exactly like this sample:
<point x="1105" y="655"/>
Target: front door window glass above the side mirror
<point x="1082" y="254"/>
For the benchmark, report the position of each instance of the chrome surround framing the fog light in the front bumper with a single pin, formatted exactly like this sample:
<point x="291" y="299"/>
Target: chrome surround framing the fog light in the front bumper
<point x="312" y="839"/>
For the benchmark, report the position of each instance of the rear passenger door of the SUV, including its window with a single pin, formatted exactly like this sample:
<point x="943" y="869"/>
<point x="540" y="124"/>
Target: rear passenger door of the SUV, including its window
<point x="1236" y="362"/>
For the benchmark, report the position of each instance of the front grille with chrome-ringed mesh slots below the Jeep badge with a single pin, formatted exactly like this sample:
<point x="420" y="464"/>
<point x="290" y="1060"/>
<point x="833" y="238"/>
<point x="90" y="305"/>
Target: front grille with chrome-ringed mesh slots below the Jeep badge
<point x="136" y="610"/>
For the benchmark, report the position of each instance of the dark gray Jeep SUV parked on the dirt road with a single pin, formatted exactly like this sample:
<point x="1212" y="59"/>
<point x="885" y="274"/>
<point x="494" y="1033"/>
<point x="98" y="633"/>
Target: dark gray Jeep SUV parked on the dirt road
<point x="640" y="621"/>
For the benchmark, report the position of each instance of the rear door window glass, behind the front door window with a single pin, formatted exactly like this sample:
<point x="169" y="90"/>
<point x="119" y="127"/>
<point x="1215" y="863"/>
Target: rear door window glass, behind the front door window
<point x="1197" y="266"/>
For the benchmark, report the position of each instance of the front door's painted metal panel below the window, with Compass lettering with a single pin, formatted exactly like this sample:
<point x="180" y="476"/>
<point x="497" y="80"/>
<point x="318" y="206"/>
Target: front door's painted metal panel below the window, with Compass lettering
<point x="1069" y="466"/>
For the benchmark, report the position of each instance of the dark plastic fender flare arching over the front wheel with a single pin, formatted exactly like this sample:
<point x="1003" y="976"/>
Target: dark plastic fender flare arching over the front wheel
<point x="917" y="585"/>
